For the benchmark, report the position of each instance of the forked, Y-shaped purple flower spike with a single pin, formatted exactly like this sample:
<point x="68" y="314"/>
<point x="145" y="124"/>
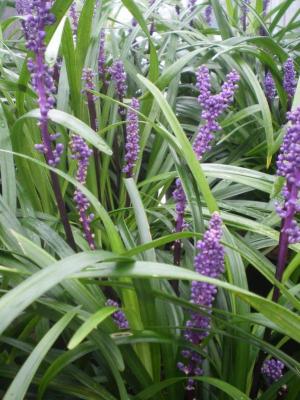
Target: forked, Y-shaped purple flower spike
<point x="212" y="107"/>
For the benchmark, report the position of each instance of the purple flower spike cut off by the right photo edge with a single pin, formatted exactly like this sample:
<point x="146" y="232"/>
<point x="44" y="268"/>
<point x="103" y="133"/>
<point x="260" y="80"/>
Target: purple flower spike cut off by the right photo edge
<point x="288" y="166"/>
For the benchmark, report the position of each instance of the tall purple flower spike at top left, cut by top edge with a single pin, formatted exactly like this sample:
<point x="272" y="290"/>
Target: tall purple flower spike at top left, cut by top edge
<point x="37" y="18"/>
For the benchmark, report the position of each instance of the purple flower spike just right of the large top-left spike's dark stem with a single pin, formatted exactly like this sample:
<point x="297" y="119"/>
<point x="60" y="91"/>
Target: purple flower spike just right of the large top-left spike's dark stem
<point x="81" y="152"/>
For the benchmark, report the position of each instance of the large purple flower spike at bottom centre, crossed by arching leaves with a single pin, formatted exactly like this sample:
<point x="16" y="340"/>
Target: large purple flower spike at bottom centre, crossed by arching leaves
<point x="208" y="262"/>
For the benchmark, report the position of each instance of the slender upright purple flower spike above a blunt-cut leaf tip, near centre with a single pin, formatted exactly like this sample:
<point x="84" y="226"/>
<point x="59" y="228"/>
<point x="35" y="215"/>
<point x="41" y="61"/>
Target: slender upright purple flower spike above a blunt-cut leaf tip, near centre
<point x="132" y="138"/>
